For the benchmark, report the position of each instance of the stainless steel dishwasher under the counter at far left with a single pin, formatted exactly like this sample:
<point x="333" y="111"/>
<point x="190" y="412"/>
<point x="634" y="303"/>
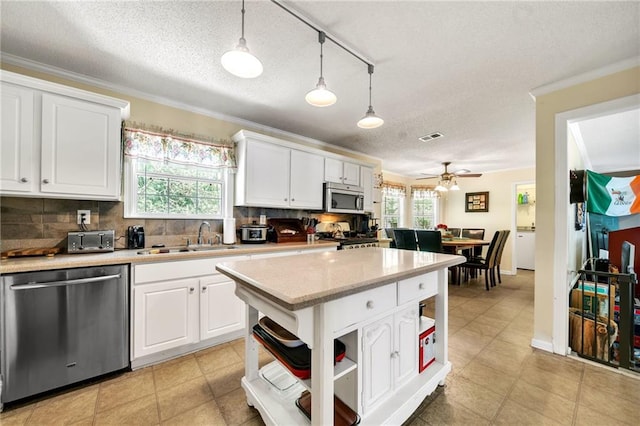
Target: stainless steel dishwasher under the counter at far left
<point x="61" y="327"/>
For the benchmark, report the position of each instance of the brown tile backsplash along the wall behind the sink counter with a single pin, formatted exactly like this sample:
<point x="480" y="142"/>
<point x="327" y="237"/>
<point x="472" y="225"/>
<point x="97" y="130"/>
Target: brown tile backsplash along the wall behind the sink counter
<point x="40" y="222"/>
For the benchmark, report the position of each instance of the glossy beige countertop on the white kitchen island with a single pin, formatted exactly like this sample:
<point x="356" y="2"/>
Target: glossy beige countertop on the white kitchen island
<point x="308" y="279"/>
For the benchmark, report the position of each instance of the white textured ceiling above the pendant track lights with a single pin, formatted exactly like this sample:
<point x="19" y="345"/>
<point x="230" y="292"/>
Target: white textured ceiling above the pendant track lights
<point x="464" y="69"/>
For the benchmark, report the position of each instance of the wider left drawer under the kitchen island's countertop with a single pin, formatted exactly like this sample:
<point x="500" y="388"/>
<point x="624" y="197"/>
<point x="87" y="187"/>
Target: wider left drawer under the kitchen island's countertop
<point x="358" y="307"/>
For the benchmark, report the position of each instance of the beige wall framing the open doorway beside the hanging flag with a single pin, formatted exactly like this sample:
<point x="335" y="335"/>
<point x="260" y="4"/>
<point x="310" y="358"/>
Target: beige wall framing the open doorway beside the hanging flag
<point x="548" y="105"/>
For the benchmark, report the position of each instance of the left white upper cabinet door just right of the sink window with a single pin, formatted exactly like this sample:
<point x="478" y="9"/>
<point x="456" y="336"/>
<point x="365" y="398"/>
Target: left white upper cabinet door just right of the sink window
<point x="267" y="175"/>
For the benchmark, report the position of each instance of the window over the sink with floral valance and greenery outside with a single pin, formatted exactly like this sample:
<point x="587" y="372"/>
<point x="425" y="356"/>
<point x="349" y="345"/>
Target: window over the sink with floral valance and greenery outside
<point x="169" y="176"/>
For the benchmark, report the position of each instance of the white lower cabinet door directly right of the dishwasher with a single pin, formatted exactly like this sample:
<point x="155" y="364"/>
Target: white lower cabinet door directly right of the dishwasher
<point x="165" y="316"/>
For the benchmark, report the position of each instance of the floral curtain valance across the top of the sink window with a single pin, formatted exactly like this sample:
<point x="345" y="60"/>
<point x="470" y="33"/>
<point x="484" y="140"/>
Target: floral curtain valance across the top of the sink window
<point x="168" y="146"/>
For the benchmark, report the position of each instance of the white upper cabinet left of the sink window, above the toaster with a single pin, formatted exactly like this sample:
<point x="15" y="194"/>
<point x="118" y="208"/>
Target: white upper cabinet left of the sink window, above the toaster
<point x="58" y="141"/>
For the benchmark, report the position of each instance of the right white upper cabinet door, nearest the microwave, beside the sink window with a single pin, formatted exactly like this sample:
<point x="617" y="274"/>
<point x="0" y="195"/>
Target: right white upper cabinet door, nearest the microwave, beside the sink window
<point x="307" y="176"/>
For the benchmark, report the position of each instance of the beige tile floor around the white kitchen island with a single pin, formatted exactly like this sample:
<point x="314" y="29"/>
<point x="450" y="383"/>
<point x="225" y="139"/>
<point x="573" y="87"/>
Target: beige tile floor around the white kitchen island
<point x="497" y="378"/>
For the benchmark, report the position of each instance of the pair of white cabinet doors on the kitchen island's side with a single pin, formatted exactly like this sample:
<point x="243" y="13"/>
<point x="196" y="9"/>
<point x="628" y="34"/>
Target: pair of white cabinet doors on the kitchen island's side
<point x="389" y="355"/>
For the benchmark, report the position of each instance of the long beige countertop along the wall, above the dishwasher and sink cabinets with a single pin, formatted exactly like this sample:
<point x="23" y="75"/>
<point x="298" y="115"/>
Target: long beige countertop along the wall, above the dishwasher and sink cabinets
<point x="62" y="261"/>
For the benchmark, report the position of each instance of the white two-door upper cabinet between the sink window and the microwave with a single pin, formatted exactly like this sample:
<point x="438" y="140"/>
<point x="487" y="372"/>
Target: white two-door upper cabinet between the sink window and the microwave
<point x="272" y="174"/>
